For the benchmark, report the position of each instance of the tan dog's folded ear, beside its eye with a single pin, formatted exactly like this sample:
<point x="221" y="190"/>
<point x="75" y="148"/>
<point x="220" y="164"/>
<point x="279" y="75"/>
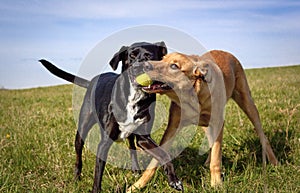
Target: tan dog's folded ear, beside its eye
<point x="203" y="70"/>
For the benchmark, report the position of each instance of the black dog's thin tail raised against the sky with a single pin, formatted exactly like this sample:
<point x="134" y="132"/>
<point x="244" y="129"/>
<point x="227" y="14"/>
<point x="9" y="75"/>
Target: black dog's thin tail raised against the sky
<point x="65" y="75"/>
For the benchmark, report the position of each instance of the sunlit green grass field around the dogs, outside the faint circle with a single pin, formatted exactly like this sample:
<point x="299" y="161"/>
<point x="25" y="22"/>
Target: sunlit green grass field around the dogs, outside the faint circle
<point x="37" y="131"/>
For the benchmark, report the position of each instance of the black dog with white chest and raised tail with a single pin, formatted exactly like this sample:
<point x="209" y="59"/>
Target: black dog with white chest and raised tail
<point x="121" y="109"/>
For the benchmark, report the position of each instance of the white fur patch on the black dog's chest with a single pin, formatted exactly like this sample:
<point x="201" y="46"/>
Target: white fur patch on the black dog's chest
<point x="131" y="124"/>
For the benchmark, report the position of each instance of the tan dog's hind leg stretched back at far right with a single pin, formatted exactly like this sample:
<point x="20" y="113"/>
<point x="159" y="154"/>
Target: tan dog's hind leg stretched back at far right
<point x="242" y="96"/>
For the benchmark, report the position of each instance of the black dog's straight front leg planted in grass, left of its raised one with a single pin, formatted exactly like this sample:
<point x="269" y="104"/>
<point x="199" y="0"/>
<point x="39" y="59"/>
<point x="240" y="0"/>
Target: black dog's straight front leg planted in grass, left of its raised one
<point x="102" y="153"/>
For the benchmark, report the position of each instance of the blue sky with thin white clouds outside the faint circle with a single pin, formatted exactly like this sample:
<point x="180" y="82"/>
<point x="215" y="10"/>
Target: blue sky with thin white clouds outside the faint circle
<point x="259" y="33"/>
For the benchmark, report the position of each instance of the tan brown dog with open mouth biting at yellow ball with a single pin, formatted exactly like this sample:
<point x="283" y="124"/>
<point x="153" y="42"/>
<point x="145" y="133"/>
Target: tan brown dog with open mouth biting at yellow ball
<point x="215" y="77"/>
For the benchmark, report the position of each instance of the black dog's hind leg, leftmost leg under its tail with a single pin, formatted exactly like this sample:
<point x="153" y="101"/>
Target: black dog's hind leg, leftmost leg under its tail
<point x="86" y="122"/>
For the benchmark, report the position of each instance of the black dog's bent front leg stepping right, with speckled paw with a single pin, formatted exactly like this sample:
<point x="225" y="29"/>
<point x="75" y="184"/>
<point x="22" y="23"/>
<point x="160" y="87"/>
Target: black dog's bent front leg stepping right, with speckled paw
<point x="148" y="145"/>
